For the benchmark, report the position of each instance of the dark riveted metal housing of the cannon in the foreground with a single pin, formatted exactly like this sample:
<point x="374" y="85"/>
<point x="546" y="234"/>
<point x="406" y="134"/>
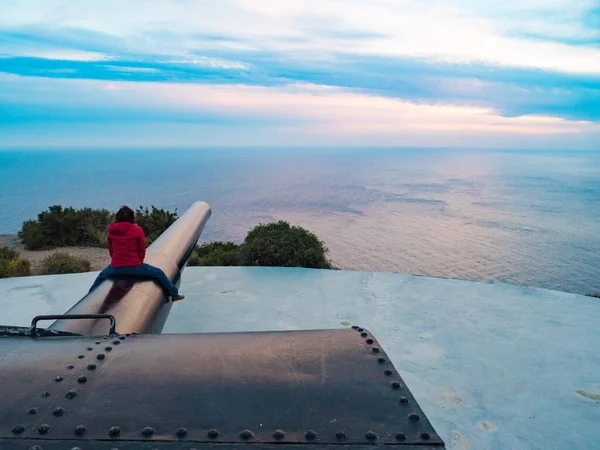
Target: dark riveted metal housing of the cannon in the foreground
<point x="316" y="388"/>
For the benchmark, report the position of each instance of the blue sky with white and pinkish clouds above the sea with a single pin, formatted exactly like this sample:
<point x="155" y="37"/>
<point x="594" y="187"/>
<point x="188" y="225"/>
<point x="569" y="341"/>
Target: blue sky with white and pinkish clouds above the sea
<point x="186" y="73"/>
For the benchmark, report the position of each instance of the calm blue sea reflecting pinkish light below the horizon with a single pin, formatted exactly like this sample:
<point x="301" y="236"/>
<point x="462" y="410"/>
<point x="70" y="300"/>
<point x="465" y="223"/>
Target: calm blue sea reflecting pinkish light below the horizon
<point x="529" y="218"/>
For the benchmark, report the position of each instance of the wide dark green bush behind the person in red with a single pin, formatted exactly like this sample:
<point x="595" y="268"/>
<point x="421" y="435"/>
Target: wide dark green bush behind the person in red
<point x="87" y="227"/>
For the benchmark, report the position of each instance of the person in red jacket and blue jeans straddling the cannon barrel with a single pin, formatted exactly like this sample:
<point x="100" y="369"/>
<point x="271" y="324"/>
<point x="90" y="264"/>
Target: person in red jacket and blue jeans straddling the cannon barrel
<point x="127" y="249"/>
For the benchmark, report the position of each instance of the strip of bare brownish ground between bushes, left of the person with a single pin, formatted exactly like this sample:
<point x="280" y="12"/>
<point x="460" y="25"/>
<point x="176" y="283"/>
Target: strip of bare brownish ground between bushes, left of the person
<point x="98" y="257"/>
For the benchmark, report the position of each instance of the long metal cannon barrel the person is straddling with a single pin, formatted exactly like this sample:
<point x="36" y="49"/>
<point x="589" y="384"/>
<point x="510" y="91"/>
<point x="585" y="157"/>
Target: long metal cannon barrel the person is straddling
<point x="140" y="305"/>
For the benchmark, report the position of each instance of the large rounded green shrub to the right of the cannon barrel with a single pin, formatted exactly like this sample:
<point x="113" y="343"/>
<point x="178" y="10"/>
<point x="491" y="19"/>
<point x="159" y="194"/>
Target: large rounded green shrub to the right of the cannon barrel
<point x="280" y="244"/>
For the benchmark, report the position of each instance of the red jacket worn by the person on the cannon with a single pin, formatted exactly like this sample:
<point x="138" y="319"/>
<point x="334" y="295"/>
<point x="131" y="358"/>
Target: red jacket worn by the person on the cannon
<point x="126" y="244"/>
